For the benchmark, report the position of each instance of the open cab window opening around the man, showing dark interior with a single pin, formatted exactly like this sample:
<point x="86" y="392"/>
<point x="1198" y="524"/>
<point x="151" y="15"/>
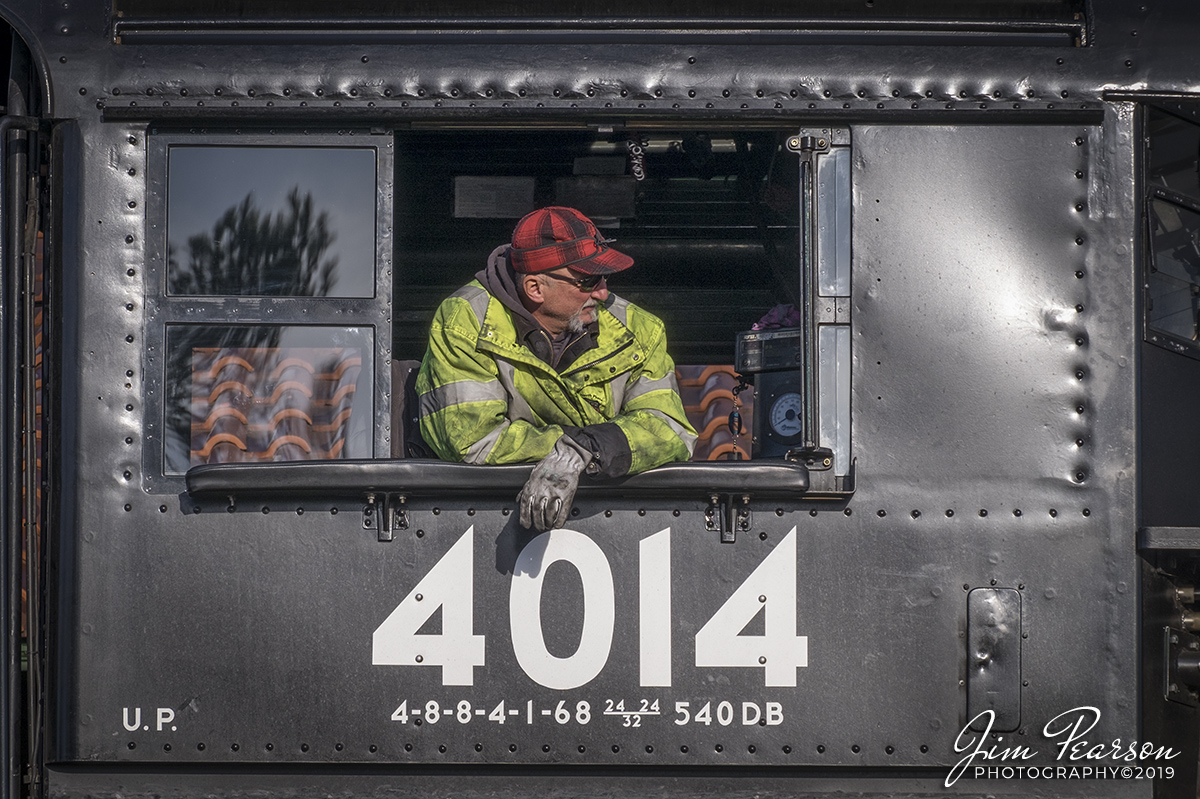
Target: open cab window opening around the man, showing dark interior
<point x="741" y="245"/>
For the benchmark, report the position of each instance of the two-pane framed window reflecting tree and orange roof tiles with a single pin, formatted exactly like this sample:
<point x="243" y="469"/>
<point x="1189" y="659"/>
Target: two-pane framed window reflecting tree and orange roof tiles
<point x="268" y="259"/>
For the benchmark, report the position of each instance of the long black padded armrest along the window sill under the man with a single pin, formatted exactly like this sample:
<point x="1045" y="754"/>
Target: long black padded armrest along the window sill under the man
<point x="423" y="478"/>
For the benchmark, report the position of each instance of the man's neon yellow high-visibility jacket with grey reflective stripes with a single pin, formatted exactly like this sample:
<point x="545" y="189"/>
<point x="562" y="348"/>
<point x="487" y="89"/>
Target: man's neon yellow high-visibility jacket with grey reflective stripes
<point x="488" y="399"/>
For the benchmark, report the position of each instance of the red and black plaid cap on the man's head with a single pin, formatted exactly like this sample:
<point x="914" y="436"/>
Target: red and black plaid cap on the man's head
<point x="562" y="237"/>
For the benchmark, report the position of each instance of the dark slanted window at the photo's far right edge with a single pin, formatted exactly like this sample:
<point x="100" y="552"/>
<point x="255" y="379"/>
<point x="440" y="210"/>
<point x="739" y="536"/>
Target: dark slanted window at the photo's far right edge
<point x="1175" y="272"/>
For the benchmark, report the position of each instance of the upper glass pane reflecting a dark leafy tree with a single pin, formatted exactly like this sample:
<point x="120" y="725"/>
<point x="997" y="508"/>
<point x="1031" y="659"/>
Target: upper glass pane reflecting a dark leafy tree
<point x="272" y="221"/>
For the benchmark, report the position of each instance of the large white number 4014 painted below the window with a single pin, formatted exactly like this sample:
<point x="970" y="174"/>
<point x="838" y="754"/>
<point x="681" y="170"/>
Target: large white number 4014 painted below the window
<point x="449" y="586"/>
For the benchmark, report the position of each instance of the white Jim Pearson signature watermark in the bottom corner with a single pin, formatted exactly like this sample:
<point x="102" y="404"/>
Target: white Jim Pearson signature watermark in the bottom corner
<point x="1067" y="731"/>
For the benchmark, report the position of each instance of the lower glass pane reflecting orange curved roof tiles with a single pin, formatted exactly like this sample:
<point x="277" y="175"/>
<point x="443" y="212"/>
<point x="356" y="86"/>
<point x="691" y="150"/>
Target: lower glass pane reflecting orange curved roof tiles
<point x="263" y="393"/>
